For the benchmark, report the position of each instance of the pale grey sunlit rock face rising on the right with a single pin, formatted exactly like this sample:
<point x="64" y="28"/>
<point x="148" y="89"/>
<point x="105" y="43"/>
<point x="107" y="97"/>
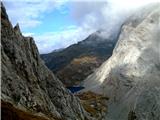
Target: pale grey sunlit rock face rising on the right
<point x="131" y="76"/>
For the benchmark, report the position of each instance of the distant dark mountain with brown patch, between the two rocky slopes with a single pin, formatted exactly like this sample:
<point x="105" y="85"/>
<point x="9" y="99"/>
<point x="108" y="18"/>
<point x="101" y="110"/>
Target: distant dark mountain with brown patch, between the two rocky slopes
<point x="95" y="49"/>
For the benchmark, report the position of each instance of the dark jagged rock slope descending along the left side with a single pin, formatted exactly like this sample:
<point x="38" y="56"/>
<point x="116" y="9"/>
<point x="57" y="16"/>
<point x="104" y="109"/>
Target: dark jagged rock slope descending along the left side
<point x="26" y="81"/>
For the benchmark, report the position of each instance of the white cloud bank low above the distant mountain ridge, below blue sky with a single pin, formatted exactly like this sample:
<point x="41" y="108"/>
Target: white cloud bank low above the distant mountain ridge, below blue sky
<point x="50" y="41"/>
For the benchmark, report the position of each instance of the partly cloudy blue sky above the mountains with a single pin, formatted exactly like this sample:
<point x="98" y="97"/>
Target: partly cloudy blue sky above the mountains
<point x="56" y="24"/>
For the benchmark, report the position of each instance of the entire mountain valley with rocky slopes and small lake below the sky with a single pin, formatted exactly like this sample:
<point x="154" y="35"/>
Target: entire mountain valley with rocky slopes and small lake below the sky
<point x="110" y="75"/>
